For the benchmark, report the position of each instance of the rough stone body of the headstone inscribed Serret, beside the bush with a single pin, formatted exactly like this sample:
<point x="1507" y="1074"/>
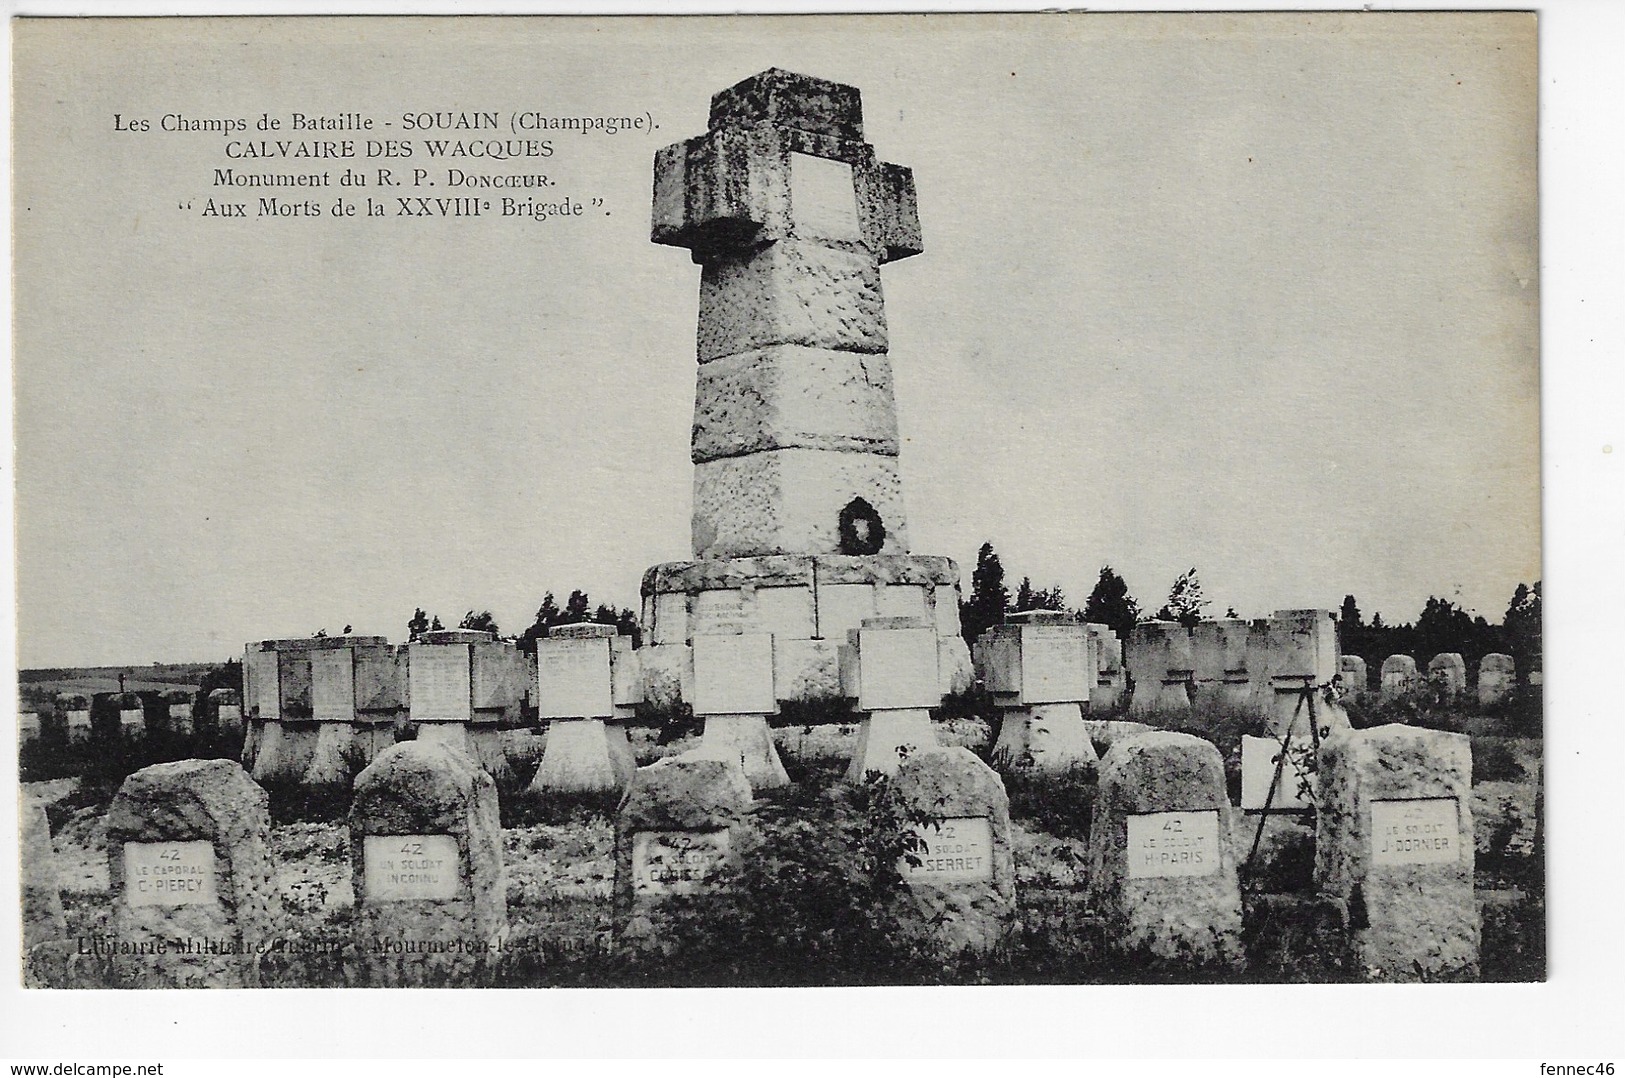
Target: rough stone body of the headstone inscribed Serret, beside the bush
<point x="955" y="915"/>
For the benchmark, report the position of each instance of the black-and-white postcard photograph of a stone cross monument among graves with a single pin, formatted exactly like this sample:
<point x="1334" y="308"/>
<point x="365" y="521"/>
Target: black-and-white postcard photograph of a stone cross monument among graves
<point x="745" y="503"/>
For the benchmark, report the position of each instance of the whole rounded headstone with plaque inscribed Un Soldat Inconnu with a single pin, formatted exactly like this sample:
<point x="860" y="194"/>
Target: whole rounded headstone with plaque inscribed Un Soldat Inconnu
<point x="427" y="863"/>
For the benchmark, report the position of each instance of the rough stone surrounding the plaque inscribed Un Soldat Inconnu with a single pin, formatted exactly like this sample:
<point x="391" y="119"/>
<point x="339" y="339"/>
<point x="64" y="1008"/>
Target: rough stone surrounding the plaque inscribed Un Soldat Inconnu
<point x="423" y="789"/>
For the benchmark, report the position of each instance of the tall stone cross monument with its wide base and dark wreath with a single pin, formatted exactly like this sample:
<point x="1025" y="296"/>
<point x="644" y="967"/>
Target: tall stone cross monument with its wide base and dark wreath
<point x="799" y="513"/>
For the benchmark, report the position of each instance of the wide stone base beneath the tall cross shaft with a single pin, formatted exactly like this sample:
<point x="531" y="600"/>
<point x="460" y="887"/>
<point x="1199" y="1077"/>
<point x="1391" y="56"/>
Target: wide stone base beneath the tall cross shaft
<point x="808" y="602"/>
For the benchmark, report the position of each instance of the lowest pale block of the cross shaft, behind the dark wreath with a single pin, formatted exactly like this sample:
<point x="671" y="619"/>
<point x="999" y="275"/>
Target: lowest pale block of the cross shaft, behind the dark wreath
<point x="789" y="502"/>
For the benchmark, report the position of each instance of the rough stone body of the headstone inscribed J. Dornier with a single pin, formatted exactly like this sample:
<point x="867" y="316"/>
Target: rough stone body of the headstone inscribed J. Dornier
<point x="1410" y="921"/>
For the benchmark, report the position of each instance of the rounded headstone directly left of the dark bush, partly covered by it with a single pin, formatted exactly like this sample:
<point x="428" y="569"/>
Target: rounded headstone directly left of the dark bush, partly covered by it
<point x="677" y="833"/>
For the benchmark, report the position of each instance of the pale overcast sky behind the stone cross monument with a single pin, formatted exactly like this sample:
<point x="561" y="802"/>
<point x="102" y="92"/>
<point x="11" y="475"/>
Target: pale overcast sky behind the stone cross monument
<point x="1247" y="293"/>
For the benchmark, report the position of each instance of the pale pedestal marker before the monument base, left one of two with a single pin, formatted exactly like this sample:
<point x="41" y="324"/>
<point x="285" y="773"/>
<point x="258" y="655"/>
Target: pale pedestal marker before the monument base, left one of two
<point x="734" y="693"/>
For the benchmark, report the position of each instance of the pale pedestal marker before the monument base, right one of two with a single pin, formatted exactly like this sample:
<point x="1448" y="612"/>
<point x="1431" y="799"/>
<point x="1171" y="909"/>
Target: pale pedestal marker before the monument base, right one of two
<point x="891" y="671"/>
